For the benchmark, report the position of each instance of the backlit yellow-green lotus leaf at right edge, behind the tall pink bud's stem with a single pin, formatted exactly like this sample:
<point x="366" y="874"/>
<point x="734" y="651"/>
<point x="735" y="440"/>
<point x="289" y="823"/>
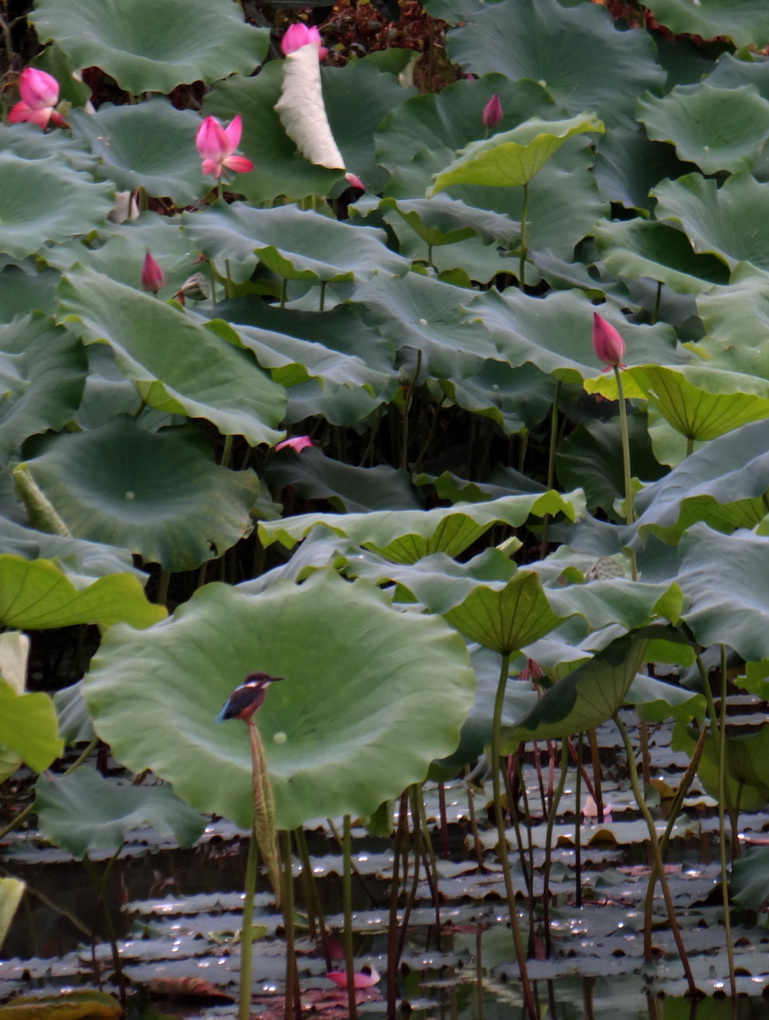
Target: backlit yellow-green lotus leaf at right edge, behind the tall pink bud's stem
<point x="700" y="403"/>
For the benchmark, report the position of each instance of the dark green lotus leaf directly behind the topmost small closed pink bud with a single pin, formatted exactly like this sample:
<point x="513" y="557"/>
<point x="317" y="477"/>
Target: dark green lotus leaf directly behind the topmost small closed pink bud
<point x="422" y="137"/>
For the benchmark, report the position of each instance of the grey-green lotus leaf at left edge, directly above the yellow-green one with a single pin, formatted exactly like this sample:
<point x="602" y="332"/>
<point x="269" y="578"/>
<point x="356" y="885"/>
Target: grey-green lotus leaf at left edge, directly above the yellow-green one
<point x="82" y="559"/>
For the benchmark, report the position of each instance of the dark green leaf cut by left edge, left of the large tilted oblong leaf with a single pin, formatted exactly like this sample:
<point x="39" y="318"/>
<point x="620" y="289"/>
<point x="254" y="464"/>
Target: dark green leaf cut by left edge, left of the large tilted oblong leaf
<point x="42" y="376"/>
